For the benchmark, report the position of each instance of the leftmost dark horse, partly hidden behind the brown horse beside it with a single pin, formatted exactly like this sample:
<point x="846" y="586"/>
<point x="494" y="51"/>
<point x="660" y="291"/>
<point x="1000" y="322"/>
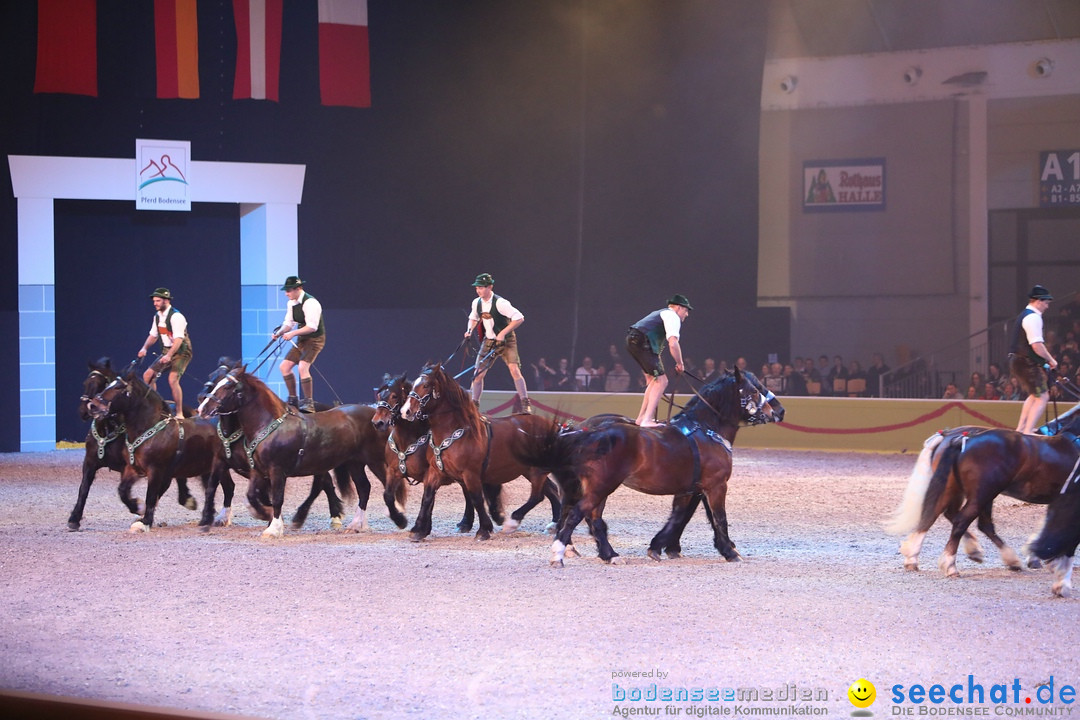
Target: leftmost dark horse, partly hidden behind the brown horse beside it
<point x="105" y="449"/>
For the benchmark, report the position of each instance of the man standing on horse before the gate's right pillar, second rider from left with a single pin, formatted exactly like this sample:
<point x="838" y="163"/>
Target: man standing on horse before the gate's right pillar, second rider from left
<point x="304" y="321"/>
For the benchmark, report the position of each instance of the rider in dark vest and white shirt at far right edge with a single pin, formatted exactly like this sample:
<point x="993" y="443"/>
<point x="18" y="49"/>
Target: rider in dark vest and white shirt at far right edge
<point x="1028" y="355"/>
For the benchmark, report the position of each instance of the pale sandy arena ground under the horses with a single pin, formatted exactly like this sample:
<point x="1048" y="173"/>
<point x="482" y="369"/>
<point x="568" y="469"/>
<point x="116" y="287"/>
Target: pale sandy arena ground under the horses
<point x="323" y="624"/>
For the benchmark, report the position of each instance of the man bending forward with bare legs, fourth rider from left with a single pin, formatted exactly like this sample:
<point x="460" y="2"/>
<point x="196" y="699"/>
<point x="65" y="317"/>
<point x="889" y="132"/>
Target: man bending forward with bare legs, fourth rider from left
<point x="645" y="341"/>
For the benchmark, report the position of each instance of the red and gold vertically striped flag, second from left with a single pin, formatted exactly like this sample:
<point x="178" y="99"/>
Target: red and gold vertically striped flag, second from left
<point x="177" y="36"/>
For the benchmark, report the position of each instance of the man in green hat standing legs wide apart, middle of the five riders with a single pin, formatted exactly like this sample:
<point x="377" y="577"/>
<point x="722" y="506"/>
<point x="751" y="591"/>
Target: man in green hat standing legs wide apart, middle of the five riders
<point x="498" y="320"/>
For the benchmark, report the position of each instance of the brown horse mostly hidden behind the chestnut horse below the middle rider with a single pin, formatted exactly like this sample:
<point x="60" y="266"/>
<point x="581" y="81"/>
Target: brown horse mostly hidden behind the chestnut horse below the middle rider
<point x="407" y="452"/>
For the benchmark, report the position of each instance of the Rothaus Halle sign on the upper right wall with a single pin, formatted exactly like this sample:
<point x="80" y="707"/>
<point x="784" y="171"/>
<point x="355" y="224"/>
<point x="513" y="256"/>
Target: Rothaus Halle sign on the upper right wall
<point x="832" y="186"/>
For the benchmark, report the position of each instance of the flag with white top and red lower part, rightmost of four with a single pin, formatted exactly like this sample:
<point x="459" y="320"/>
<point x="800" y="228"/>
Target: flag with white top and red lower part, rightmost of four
<point x="344" y="62"/>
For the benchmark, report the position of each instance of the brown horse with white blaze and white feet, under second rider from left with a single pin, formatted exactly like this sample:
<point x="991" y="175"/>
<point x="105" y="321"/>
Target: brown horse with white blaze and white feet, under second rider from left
<point x="282" y="443"/>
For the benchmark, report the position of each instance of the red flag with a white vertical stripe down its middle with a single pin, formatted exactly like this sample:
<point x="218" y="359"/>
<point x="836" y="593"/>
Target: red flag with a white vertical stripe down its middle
<point x="259" y="49"/>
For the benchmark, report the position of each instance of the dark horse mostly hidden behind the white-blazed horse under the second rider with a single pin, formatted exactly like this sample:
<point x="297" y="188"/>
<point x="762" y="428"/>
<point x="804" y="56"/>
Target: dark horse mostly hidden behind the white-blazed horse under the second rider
<point x="235" y="456"/>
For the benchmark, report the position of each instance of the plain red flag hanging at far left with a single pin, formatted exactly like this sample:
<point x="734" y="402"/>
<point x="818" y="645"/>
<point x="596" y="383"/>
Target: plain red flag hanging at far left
<point x="67" y="47"/>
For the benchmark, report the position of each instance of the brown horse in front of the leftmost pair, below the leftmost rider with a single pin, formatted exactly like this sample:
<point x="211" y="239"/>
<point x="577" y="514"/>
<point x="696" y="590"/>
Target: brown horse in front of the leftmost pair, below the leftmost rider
<point x="158" y="445"/>
